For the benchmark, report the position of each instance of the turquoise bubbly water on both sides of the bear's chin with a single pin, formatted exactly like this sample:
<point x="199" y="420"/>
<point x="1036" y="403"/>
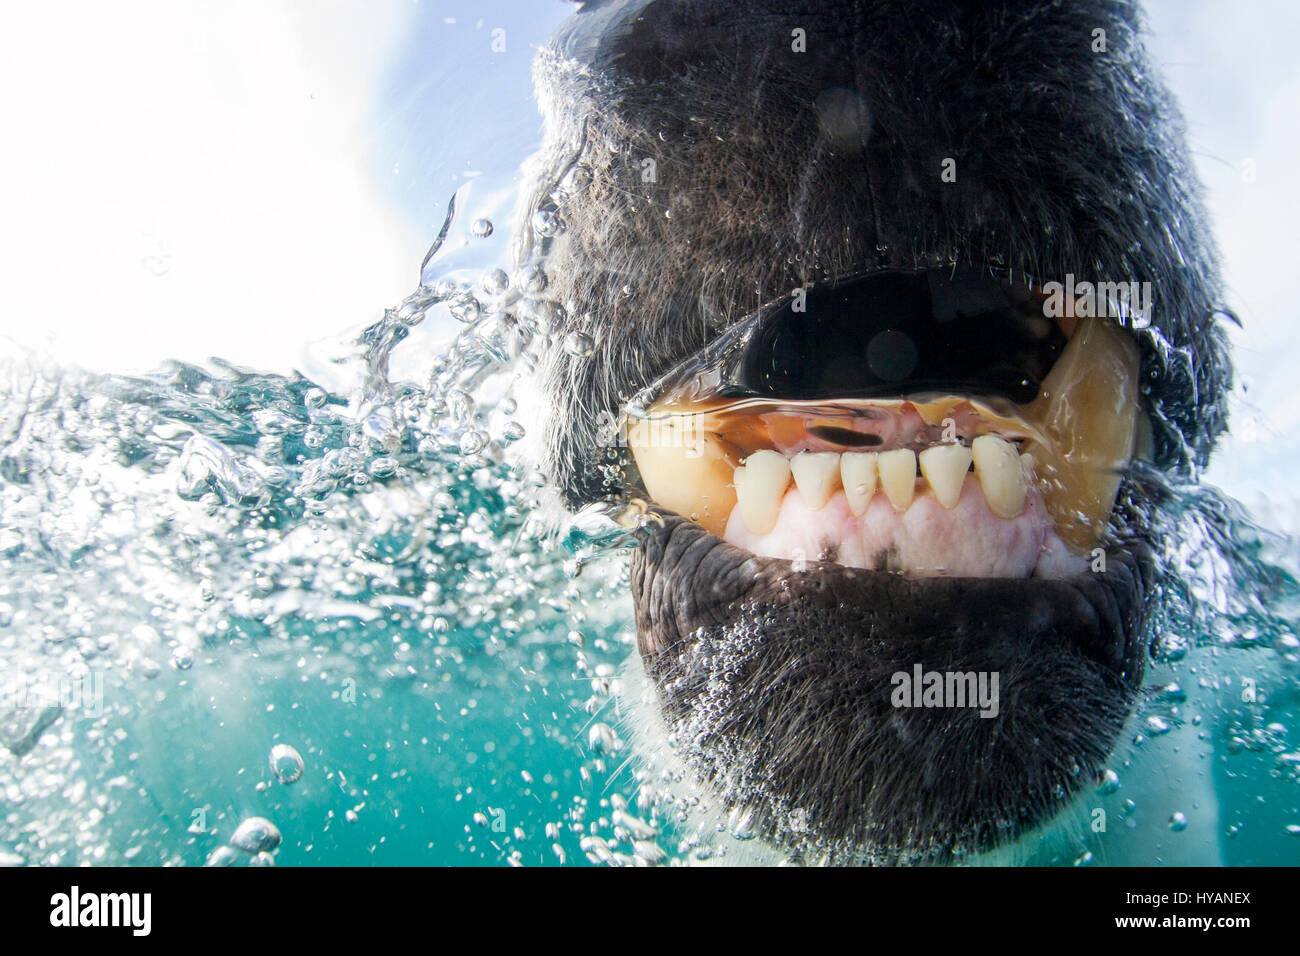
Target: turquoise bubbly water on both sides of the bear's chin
<point x="207" y="565"/>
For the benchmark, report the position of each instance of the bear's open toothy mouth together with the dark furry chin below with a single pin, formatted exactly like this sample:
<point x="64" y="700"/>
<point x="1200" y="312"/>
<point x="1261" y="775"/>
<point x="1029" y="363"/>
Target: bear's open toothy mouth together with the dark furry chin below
<point x="896" y="471"/>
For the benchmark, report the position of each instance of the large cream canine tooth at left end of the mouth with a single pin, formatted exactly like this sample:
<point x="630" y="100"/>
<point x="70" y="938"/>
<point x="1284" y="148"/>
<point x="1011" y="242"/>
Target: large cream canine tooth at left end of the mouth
<point x="686" y="470"/>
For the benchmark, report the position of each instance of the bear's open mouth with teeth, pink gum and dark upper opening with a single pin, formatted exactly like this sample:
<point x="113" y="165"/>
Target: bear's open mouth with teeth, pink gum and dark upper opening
<point x="925" y="423"/>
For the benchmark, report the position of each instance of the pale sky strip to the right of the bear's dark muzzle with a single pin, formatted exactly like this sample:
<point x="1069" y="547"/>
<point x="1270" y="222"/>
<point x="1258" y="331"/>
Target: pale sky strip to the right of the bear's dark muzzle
<point x="1234" y="71"/>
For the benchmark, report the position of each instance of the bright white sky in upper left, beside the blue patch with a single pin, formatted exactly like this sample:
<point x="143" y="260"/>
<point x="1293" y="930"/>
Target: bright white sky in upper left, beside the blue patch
<point x="183" y="180"/>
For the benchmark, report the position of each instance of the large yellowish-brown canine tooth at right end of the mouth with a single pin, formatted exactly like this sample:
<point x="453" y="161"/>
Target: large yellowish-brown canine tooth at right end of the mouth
<point x="1087" y="416"/>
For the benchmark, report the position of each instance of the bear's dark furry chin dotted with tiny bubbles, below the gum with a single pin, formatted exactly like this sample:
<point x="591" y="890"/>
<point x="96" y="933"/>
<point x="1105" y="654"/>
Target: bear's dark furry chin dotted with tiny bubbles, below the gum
<point x="777" y="685"/>
